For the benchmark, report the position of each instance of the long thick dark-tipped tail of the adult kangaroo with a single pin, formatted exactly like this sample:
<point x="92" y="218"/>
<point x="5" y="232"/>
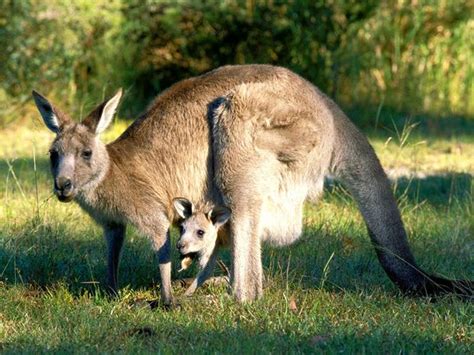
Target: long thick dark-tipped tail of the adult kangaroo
<point x="354" y="162"/>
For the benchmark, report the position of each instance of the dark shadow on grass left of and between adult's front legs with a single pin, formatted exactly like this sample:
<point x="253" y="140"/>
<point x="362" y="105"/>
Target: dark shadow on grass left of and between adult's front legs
<point x="43" y="256"/>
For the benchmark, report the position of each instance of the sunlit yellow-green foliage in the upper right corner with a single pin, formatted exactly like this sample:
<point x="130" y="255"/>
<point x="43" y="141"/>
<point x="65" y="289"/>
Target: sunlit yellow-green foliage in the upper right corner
<point x="416" y="55"/>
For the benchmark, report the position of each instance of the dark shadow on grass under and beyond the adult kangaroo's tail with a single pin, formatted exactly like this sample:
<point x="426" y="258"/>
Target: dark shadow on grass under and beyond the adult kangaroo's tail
<point x="342" y="263"/>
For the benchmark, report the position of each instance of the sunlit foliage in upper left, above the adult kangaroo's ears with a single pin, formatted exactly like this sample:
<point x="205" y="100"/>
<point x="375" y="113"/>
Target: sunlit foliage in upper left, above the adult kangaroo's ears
<point x="58" y="47"/>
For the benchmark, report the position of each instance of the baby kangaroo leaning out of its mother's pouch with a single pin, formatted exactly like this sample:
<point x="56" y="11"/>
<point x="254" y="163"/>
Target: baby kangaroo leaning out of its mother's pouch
<point x="200" y="235"/>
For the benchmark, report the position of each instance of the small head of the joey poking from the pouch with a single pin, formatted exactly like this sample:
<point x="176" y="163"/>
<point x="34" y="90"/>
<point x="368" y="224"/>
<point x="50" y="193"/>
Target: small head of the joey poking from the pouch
<point x="198" y="229"/>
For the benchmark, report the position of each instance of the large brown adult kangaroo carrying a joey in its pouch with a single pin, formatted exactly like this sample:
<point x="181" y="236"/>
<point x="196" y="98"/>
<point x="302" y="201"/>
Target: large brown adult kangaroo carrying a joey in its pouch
<point x="256" y="137"/>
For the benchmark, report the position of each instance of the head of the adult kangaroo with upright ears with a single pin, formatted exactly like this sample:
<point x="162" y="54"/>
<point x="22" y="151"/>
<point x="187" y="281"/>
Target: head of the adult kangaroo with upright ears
<point x="78" y="158"/>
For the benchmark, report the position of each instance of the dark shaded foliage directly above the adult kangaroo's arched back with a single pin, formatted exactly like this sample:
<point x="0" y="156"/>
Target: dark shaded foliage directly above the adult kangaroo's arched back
<point x="173" y="41"/>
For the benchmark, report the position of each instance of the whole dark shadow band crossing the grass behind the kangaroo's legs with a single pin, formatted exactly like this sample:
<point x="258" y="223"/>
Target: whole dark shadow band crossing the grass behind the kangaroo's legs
<point x="43" y="256"/>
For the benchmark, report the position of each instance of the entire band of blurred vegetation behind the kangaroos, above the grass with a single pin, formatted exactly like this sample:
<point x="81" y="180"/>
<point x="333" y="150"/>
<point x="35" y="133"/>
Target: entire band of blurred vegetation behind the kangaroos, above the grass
<point x="403" y="56"/>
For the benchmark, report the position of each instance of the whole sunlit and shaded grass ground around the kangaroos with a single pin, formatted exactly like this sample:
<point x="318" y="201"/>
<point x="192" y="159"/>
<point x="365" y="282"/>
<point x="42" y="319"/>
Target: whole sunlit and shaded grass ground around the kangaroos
<point x="326" y="293"/>
